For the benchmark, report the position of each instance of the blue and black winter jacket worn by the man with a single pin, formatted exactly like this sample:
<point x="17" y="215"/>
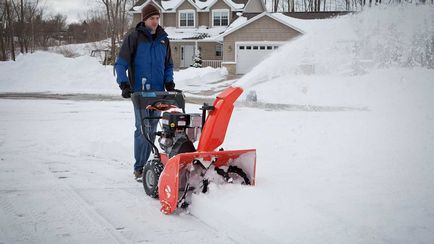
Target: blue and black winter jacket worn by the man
<point x="147" y="60"/>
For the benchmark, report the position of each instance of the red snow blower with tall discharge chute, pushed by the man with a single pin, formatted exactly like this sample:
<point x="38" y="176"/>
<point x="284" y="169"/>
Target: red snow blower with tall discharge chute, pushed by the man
<point x="173" y="175"/>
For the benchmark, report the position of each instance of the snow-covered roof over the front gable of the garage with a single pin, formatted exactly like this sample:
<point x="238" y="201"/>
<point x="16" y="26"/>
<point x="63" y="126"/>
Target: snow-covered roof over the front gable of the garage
<point x="276" y="16"/>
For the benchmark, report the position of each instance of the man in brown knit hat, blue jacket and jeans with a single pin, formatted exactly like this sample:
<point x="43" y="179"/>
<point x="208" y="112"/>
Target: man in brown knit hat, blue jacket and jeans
<point x="145" y="53"/>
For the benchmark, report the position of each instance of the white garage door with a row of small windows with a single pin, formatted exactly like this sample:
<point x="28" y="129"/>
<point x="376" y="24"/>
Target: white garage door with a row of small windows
<point x="249" y="55"/>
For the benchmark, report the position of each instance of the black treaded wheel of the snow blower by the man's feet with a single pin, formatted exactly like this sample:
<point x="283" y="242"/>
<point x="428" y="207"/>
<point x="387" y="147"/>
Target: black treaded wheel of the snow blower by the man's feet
<point x="151" y="176"/>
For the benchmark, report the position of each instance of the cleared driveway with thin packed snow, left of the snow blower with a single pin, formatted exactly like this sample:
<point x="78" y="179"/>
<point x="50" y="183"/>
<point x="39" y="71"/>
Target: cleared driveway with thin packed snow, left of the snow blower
<point x="61" y="179"/>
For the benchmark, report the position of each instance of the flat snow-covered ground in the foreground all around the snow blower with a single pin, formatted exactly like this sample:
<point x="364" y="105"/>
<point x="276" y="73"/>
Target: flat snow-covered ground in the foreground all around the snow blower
<point x="322" y="176"/>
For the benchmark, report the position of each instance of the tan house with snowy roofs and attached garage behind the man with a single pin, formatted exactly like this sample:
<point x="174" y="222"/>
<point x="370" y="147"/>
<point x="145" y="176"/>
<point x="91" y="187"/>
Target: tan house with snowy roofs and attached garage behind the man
<point x="236" y="34"/>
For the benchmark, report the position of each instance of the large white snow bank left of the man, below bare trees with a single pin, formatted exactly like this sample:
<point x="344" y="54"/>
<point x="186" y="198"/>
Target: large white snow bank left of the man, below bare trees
<point x="51" y="72"/>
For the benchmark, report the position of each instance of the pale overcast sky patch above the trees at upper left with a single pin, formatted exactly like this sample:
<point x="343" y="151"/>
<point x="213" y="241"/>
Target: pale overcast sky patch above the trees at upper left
<point x="73" y="9"/>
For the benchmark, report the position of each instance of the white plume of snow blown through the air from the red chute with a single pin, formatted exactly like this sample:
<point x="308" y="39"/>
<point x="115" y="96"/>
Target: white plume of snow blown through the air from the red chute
<point x="381" y="37"/>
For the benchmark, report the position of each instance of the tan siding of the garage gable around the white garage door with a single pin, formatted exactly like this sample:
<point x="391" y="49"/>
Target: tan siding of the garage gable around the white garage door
<point x="263" y="29"/>
